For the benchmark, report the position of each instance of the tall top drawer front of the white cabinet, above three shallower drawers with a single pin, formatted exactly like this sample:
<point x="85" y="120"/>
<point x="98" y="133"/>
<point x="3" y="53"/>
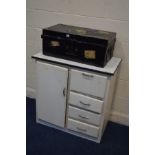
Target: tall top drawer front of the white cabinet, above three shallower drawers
<point x="88" y="83"/>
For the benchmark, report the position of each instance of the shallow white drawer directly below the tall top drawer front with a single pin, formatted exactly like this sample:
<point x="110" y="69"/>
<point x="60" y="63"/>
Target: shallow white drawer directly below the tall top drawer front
<point x="85" y="102"/>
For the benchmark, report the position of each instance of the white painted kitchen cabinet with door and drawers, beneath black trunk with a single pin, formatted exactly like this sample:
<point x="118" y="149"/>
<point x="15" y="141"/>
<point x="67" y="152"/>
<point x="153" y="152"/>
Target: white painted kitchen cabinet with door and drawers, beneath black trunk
<point x="74" y="97"/>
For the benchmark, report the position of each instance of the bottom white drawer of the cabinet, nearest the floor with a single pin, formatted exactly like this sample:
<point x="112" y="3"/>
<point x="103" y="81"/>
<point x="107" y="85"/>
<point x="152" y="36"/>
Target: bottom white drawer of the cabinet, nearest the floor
<point x="82" y="128"/>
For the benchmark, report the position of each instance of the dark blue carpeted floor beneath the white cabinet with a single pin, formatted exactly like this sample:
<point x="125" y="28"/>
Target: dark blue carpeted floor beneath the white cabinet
<point x="42" y="140"/>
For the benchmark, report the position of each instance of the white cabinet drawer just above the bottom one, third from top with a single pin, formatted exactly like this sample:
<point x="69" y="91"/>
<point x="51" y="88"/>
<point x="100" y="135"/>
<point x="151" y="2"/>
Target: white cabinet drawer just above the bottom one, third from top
<point x="84" y="116"/>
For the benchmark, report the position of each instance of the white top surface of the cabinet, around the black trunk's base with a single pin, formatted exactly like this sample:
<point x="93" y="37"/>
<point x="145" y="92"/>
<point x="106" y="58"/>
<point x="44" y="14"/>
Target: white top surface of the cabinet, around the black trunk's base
<point x="110" y="67"/>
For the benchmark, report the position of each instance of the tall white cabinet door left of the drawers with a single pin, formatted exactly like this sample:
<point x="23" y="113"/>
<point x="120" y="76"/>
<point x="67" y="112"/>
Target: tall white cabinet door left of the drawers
<point x="51" y="98"/>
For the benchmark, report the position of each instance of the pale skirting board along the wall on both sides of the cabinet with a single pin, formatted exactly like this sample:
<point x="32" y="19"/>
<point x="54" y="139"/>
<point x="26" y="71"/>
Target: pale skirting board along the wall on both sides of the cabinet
<point x="115" y="116"/>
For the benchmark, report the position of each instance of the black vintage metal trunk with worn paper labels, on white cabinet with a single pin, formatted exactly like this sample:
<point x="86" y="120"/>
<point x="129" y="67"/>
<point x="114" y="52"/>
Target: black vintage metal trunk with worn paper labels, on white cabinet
<point x="94" y="47"/>
